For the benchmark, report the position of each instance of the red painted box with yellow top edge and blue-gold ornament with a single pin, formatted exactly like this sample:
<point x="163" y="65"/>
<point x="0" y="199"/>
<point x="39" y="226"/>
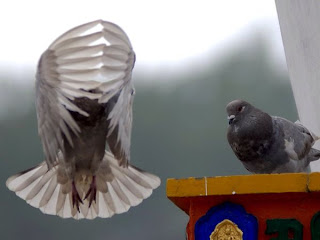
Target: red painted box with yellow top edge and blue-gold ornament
<point x="266" y="206"/>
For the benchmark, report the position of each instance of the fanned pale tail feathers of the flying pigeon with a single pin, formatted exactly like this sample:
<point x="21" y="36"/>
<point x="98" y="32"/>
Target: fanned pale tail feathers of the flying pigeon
<point x="118" y="188"/>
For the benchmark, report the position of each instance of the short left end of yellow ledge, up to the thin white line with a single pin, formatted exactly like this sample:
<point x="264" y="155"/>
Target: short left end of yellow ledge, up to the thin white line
<point x="186" y="187"/>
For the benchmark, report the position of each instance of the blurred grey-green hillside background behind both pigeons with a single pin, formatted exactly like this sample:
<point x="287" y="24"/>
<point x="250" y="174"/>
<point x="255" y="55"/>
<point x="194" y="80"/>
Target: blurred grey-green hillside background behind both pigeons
<point x="179" y="131"/>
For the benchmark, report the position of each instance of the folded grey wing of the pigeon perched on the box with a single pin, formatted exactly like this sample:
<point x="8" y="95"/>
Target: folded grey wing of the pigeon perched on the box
<point x="298" y="139"/>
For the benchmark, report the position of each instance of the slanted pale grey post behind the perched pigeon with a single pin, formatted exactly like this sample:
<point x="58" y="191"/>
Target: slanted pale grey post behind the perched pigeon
<point x="300" y="29"/>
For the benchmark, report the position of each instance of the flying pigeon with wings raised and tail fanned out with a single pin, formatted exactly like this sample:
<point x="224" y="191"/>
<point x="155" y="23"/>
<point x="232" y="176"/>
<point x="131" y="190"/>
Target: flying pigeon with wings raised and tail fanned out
<point x="84" y="96"/>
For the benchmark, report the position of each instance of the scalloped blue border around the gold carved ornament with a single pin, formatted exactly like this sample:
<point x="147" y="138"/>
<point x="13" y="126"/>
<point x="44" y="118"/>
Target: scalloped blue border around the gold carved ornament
<point x="247" y="223"/>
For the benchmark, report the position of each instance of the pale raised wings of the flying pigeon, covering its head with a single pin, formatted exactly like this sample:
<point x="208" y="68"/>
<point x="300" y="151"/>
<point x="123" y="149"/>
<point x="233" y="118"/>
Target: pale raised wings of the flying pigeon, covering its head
<point x="93" y="60"/>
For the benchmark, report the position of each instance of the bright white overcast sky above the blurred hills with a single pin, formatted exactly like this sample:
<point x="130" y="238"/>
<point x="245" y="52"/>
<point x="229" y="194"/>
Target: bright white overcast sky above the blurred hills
<point x="161" y="32"/>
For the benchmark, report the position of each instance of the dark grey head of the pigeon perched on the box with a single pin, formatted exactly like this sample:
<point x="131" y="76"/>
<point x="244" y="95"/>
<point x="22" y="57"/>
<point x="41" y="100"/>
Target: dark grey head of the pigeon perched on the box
<point x="236" y="110"/>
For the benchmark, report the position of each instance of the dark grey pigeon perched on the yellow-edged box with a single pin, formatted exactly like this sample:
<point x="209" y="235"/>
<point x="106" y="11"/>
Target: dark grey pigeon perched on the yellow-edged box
<point x="266" y="144"/>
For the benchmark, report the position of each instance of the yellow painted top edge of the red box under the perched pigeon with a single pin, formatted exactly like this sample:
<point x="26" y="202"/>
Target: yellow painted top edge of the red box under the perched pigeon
<point x="245" y="184"/>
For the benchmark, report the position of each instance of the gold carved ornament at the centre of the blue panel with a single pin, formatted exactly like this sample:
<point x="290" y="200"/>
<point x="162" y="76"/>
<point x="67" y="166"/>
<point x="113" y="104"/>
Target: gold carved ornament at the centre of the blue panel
<point x="226" y="230"/>
